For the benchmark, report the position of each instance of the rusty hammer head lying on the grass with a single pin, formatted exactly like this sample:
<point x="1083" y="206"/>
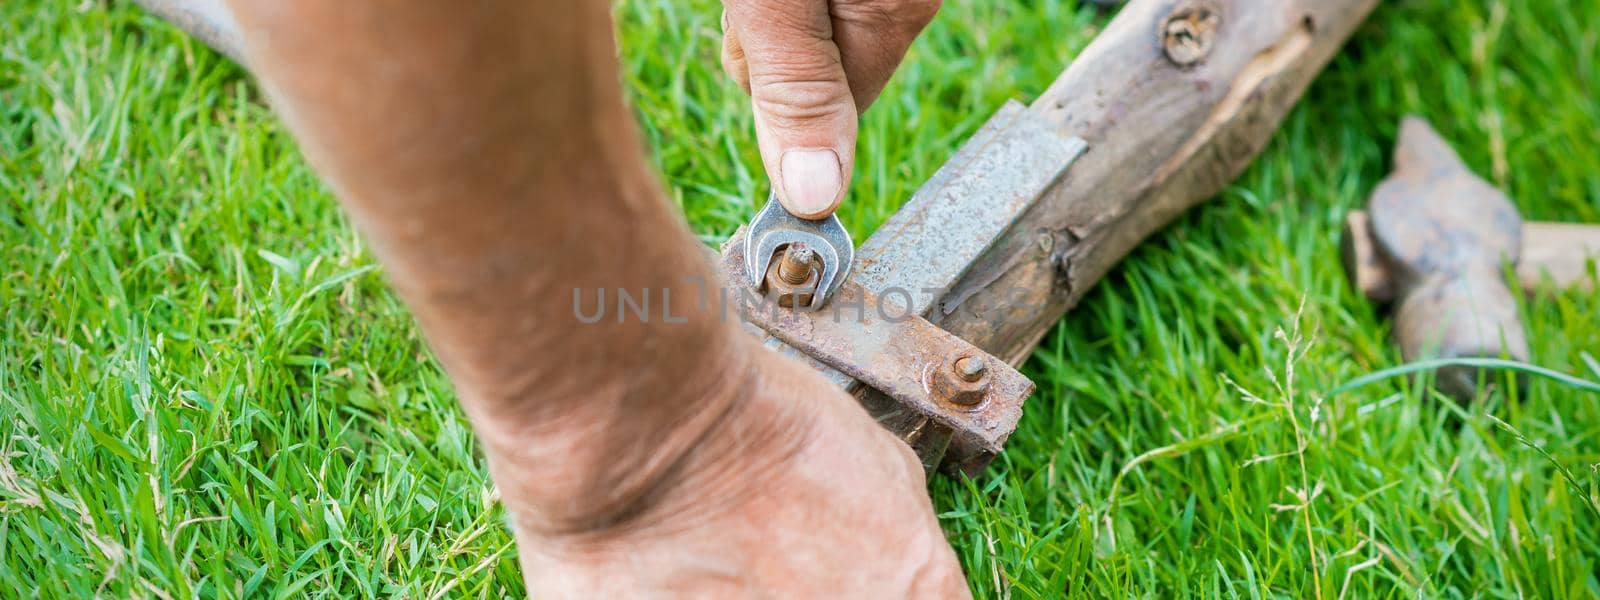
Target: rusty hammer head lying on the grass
<point x="1436" y="242"/>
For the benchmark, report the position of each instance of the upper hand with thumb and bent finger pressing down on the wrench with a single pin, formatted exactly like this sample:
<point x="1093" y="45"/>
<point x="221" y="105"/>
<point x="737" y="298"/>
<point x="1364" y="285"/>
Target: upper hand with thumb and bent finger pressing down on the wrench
<point x="812" y="68"/>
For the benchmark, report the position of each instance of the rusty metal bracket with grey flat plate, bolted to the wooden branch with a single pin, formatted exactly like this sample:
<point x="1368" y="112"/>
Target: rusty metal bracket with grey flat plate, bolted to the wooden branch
<point x="921" y="254"/>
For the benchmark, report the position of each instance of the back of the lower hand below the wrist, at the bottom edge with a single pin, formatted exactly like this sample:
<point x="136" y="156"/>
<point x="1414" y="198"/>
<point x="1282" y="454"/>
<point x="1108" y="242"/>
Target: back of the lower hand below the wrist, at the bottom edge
<point x="830" y="506"/>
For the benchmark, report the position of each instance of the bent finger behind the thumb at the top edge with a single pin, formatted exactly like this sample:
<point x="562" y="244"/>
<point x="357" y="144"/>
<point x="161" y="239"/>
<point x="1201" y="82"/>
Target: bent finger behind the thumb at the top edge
<point x="873" y="38"/>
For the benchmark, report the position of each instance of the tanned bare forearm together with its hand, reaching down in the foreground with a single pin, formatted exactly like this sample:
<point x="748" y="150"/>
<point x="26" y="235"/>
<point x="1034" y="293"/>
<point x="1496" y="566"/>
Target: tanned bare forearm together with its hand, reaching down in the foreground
<point x="486" y="153"/>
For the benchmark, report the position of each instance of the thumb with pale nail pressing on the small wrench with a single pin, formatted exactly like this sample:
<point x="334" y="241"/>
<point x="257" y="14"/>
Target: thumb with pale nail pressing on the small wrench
<point x="806" y="116"/>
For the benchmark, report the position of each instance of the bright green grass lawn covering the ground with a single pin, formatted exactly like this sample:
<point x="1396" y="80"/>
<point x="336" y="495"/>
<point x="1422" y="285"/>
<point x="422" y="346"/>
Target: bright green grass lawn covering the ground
<point x="207" y="390"/>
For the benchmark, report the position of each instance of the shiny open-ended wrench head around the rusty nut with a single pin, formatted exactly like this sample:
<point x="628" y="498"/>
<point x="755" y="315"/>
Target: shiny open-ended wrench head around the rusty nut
<point x="774" y="228"/>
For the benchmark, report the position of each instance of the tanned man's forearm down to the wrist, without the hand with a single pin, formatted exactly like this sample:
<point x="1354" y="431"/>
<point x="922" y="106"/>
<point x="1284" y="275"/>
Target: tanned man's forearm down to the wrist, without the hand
<point x="487" y="153"/>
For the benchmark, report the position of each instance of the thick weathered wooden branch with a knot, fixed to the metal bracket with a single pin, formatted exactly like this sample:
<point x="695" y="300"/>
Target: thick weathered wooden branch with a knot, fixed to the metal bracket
<point x="1175" y="100"/>
